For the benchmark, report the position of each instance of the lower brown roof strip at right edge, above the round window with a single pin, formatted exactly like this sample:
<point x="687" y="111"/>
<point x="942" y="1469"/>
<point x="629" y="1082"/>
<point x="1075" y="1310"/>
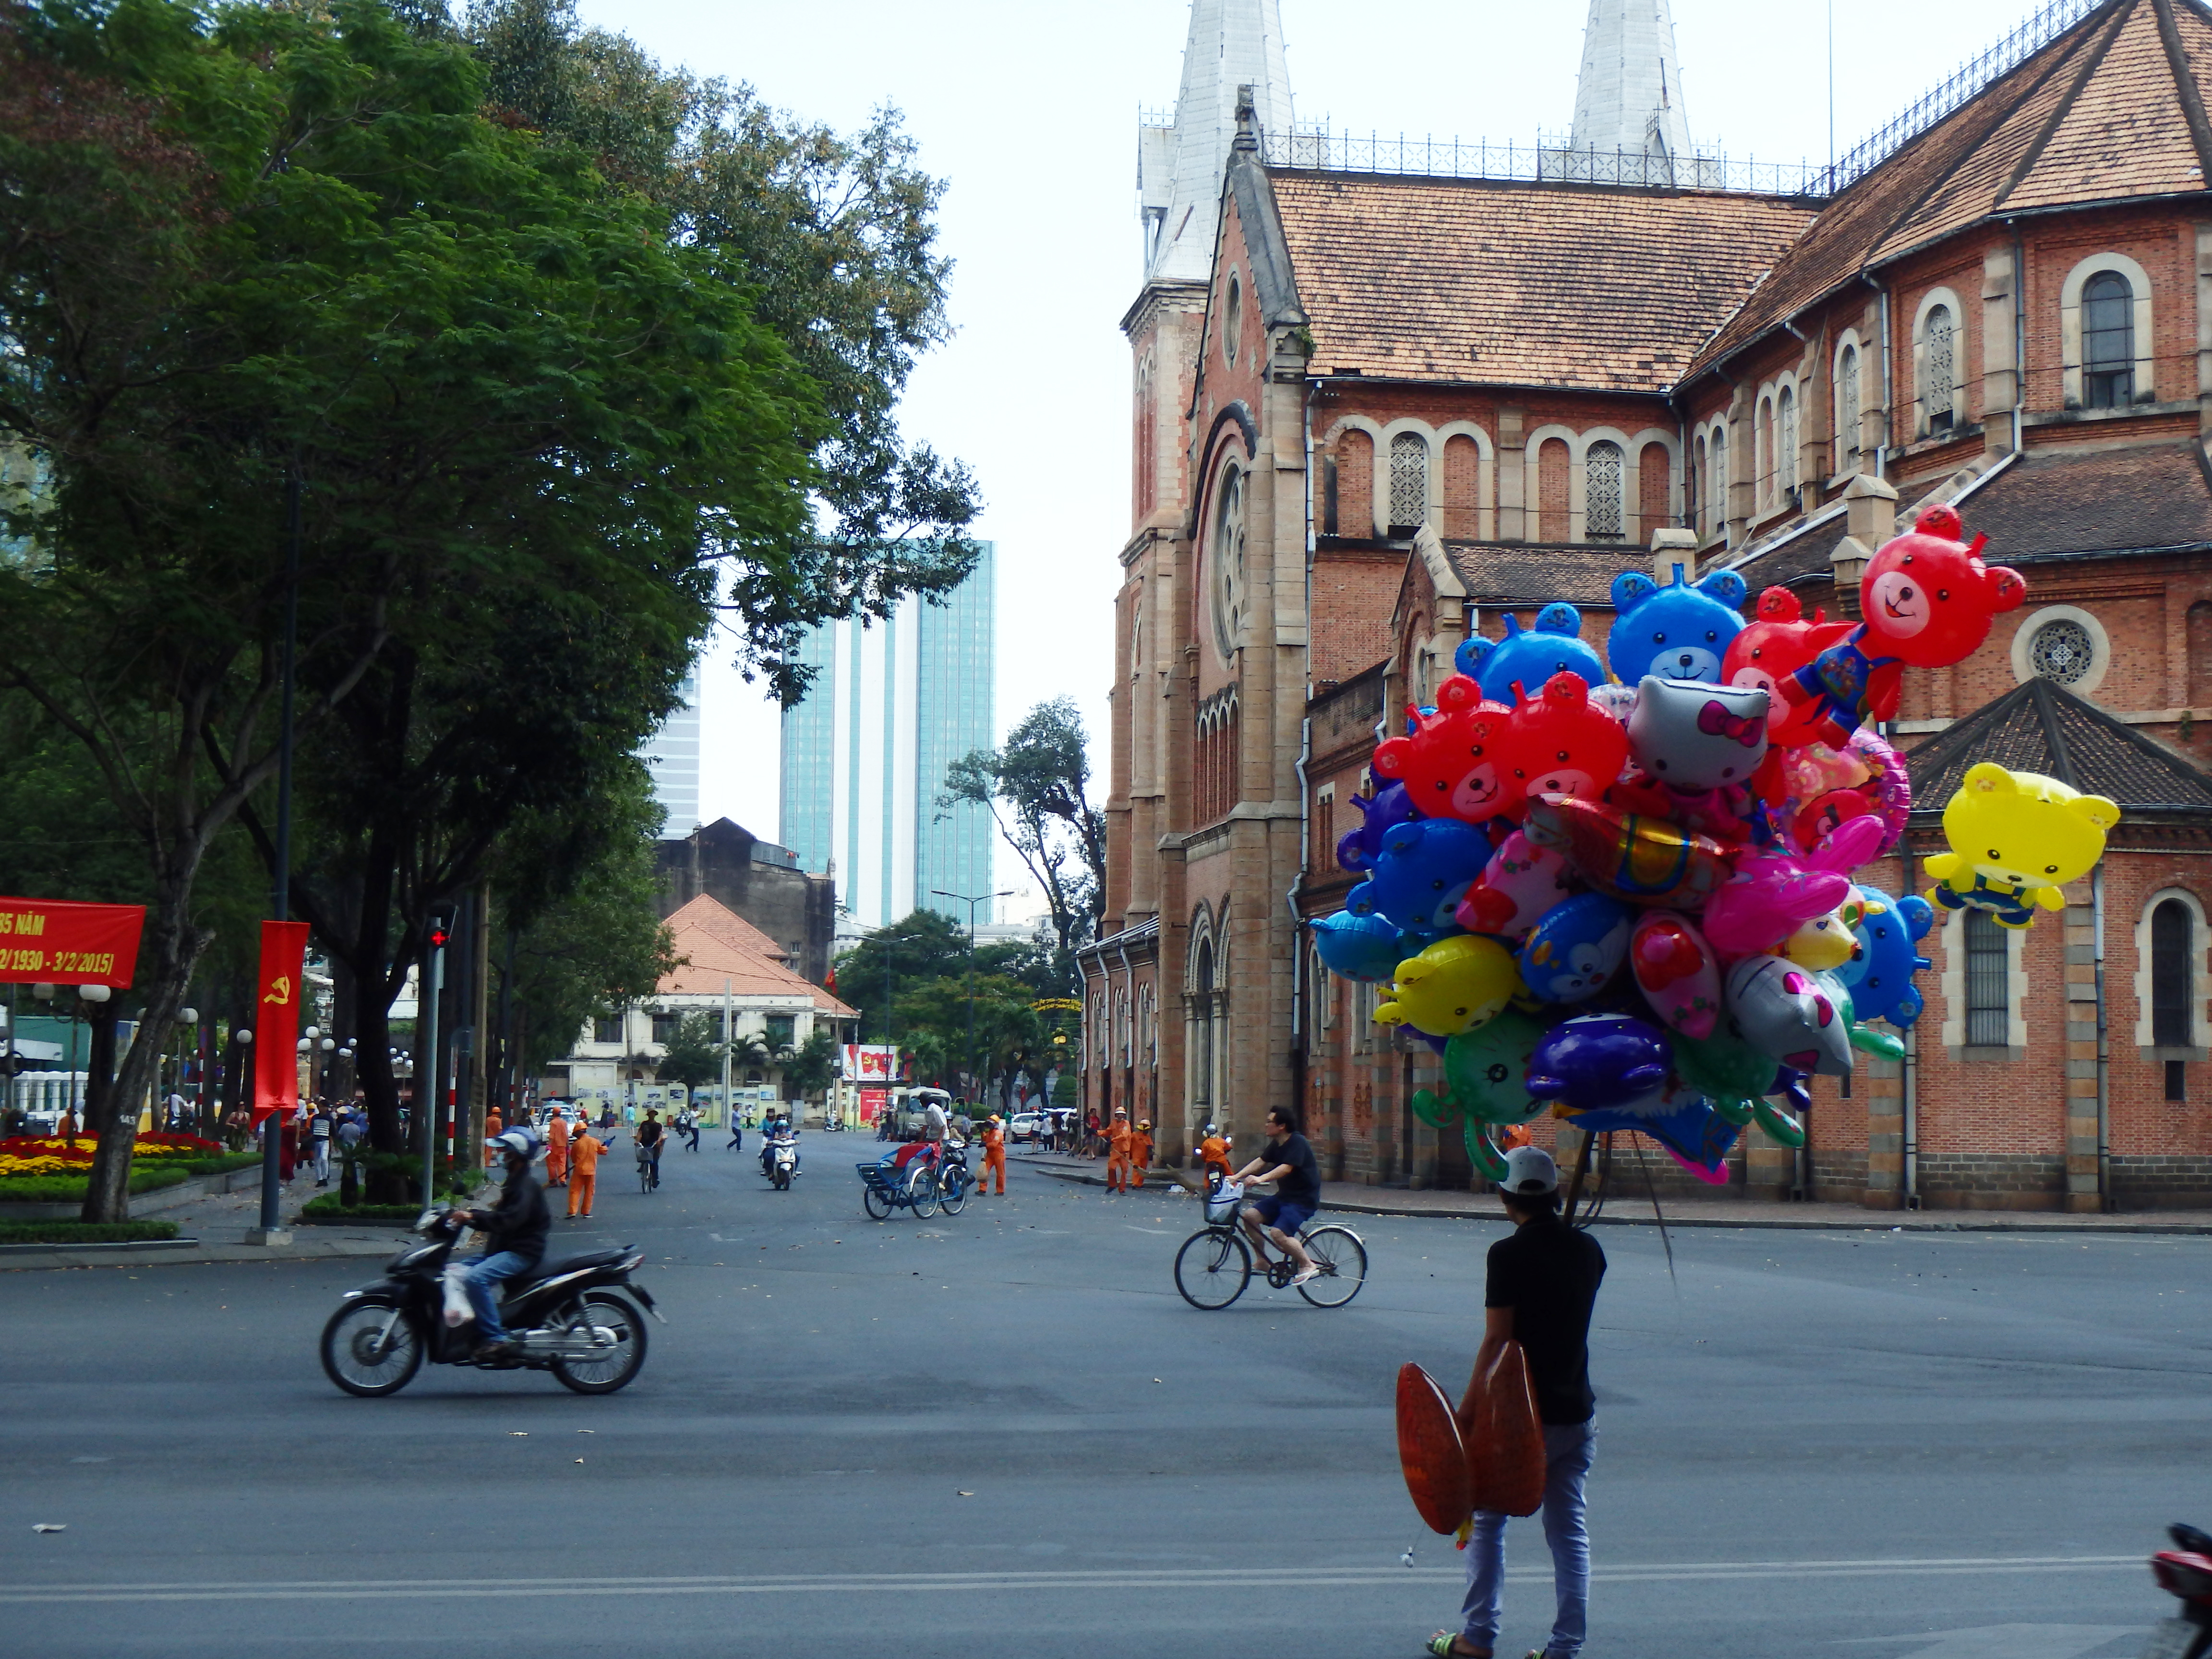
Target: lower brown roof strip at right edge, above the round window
<point x="2100" y="501"/>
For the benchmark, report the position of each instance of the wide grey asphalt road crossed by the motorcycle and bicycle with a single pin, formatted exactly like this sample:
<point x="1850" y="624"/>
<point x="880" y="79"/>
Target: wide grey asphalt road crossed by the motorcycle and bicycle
<point x="1005" y="1434"/>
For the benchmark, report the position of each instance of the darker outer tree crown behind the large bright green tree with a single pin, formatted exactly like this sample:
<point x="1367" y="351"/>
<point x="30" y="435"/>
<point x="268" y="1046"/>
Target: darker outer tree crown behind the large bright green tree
<point x="837" y="238"/>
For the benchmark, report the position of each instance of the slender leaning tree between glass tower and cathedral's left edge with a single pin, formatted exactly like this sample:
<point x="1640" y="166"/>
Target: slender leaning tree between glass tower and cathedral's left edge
<point x="1039" y="791"/>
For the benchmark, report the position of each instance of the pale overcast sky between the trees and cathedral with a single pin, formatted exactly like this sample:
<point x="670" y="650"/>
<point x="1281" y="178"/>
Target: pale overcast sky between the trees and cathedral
<point x="1027" y="109"/>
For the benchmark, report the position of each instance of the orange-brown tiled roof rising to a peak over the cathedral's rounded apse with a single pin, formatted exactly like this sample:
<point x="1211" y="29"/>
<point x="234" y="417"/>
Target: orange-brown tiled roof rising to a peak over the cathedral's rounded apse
<point x="2109" y="112"/>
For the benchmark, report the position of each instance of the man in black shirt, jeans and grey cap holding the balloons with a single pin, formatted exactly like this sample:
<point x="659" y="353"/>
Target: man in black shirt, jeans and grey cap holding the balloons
<point x="1541" y="1291"/>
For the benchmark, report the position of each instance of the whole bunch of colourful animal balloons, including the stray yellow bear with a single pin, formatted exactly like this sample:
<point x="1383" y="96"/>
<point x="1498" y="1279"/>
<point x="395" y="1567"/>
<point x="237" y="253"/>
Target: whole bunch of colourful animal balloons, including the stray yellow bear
<point x="1631" y="904"/>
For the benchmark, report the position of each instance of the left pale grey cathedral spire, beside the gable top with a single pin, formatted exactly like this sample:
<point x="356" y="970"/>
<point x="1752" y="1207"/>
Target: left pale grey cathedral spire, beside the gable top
<point x="1233" y="43"/>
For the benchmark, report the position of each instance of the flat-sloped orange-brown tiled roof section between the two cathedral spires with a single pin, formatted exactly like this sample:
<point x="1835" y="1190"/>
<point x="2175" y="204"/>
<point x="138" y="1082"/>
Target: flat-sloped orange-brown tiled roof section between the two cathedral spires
<point x="1512" y="284"/>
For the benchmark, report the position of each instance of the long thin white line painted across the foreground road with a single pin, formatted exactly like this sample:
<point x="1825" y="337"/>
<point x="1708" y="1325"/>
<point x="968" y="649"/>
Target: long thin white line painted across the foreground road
<point x="1211" y="1580"/>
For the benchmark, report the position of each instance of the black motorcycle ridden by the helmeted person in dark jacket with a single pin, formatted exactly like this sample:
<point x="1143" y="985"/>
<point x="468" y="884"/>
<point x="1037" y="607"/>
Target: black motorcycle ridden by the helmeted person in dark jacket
<point x="565" y="1317"/>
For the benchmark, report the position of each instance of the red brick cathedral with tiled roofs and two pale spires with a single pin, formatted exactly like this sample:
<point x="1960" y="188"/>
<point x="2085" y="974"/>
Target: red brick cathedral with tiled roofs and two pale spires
<point x="1395" y="397"/>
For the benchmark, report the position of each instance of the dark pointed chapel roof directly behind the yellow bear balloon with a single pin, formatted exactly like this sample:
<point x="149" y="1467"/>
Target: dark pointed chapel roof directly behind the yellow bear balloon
<point x="2047" y="729"/>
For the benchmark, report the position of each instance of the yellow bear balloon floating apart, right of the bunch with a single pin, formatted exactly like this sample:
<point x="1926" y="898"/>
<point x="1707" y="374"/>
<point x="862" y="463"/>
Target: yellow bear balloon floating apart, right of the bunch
<point x="2016" y="839"/>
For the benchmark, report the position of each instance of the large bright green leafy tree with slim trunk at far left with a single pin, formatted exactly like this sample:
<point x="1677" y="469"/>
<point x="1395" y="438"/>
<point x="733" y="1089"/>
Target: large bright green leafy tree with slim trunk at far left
<point x="282" y="255"/>
